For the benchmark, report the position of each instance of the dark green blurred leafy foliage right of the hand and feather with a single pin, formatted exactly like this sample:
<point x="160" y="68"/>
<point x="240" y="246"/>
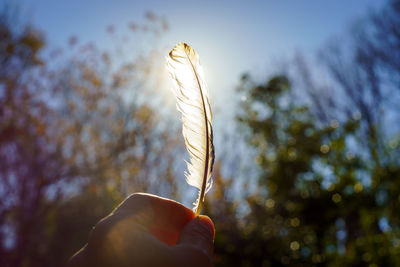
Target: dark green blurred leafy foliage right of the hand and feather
<point x="319" y="202"/>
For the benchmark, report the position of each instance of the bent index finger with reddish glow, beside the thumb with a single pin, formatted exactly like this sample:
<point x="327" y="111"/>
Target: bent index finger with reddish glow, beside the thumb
<point x="164" y="218"/>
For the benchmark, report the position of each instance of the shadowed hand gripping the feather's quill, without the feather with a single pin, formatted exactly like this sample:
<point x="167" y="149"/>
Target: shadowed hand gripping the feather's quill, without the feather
<point x="146" y="230"/>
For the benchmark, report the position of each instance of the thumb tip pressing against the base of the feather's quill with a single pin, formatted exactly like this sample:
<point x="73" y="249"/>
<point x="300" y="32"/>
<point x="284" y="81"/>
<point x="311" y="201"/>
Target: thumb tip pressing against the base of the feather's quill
<point x="199" y="233"/>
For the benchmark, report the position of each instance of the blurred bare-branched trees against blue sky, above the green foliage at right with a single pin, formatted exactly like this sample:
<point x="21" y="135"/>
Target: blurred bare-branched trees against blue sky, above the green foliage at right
<point x="363" y="74"/>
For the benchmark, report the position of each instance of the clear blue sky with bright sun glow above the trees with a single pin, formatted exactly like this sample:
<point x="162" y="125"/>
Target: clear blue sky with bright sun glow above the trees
<point x="231" y="36"/>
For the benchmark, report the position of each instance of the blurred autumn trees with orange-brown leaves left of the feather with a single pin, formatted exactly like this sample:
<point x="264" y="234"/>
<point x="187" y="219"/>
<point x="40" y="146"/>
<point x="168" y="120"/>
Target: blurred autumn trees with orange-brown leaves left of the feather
<point x="76" y="136"/>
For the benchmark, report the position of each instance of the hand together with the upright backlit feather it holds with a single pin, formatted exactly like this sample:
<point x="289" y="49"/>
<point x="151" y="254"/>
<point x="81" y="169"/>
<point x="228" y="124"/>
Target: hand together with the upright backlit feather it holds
<point x="144" y="225"/>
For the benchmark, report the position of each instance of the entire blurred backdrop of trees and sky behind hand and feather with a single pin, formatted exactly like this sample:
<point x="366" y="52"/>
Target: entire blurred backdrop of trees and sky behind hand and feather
<point x="305" y="97"/>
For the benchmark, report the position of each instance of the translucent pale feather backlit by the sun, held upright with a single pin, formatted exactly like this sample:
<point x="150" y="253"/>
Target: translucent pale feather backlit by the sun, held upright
<point x="193" y="103"/>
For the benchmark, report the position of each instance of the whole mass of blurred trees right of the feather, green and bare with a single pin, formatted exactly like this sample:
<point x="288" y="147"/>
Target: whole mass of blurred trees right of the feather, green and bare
<point x="328" y="192"/>
